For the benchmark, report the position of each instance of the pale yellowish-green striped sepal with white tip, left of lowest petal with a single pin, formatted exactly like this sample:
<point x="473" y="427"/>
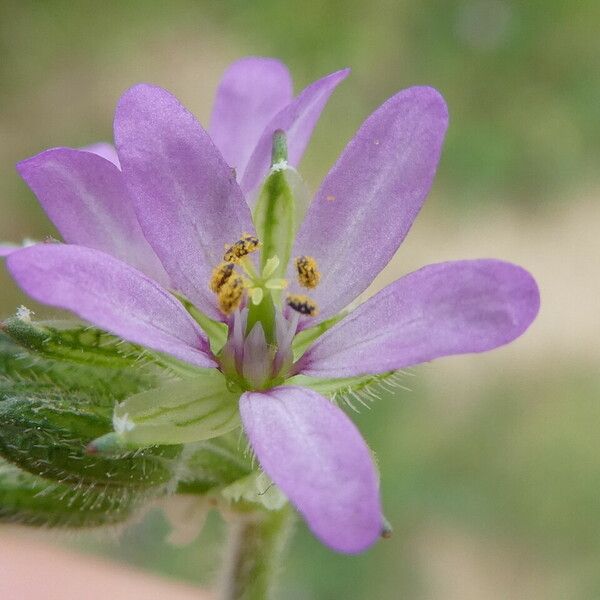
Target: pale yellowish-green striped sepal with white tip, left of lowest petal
<point x="182" y="411"/>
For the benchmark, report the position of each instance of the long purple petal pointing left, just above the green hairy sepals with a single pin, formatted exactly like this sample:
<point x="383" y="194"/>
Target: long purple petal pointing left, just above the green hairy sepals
<point x="111" y="295"/>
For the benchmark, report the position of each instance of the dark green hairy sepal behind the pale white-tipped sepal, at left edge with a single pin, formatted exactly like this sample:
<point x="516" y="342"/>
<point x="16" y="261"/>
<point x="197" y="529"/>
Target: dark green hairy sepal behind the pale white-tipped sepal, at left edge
<point x="46" y="433"/>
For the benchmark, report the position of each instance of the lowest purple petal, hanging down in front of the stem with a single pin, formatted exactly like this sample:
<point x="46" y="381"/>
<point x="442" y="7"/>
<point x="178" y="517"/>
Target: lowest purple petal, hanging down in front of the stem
<point x="315" y="454"/>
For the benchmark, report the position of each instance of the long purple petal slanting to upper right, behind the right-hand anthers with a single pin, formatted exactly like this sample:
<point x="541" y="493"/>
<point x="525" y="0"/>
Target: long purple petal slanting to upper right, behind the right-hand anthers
<point x="370" y="198"/>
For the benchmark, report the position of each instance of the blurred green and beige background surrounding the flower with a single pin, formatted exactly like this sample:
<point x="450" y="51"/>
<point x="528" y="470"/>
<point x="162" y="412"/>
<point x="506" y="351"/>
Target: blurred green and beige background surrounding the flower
<point x="490" y="464"/>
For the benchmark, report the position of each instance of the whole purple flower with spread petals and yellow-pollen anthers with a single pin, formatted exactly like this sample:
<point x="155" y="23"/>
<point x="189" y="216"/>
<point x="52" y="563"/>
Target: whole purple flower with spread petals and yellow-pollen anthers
<point x="183" y="240"/>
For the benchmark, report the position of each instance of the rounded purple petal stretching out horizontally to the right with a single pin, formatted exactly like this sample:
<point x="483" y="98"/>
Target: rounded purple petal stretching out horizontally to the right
<point x="442" y="309"/>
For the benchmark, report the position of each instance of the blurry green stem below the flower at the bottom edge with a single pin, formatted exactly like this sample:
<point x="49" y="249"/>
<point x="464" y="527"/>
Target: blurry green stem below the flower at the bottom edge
<point x="256" y="545"/>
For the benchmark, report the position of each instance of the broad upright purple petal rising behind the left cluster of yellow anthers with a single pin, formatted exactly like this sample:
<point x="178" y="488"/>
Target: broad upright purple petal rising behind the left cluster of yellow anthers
<point x="187" y="200"/>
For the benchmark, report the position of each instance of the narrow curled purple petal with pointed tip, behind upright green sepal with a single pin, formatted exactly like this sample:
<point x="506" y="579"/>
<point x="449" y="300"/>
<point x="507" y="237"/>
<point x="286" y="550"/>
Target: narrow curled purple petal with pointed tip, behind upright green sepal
<point x="297" y="119"/>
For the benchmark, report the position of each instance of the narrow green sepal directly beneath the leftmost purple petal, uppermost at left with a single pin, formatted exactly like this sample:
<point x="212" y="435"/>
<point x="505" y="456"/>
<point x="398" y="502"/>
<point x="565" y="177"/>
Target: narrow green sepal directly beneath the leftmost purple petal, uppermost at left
<point x="82" y="344"/>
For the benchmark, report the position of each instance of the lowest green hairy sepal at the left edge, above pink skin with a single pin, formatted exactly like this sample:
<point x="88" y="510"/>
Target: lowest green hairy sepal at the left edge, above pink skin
<point x="30" y="500"/>
